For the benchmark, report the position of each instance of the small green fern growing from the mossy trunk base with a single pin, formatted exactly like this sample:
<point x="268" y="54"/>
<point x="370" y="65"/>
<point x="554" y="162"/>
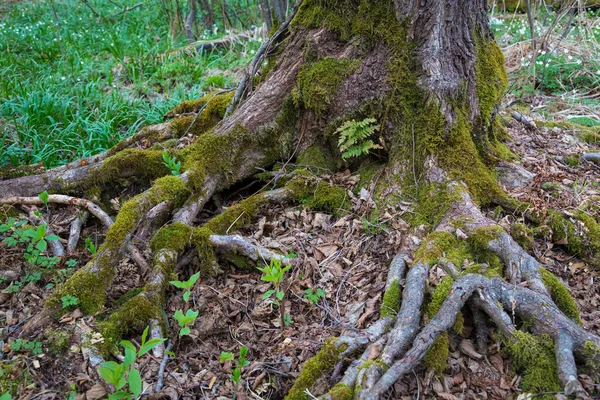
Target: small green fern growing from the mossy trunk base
<point x="354" y="135"/>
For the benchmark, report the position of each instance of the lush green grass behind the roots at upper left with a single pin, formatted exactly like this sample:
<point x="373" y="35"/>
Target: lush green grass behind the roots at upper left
<point x="75" y="89"/>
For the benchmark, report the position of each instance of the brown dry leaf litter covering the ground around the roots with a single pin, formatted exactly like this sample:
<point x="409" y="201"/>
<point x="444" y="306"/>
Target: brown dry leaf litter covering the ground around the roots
<point x="345" y="256"/>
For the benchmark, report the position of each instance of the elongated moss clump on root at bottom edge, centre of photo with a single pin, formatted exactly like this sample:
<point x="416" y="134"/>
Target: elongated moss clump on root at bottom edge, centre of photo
<point x="315" y="368"/>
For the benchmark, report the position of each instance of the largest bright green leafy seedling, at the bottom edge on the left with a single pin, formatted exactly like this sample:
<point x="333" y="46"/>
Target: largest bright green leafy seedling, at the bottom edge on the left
<point x="121" y="374"/>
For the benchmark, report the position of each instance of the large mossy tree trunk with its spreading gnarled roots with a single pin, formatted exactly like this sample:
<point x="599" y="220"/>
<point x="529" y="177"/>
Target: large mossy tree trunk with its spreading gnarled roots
<point x="431" y="75"/>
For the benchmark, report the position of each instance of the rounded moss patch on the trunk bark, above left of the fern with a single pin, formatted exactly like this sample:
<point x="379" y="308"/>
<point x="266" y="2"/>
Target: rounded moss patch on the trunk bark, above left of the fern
<point x="318" y="82"/>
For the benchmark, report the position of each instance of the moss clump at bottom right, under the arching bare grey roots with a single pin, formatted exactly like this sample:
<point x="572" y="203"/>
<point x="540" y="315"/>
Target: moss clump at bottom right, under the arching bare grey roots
<point x="533" y="356"/>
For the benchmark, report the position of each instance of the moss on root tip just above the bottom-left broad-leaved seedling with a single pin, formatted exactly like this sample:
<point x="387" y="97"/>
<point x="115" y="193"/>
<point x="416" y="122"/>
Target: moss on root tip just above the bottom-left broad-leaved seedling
<point x="133" y="316"/>
